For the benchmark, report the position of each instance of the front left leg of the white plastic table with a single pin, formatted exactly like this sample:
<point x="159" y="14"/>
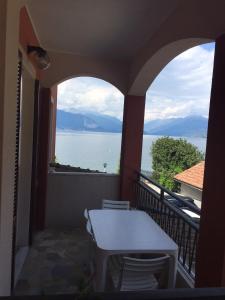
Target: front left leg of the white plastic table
<point x="101" y="270"/>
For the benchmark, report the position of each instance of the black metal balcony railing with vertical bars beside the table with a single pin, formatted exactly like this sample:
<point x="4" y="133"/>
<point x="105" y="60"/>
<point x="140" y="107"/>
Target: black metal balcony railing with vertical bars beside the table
<point x="183" y="229"/>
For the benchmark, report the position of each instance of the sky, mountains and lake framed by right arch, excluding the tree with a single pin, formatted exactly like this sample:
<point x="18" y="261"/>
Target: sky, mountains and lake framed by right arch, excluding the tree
<point x="177" y="102"/>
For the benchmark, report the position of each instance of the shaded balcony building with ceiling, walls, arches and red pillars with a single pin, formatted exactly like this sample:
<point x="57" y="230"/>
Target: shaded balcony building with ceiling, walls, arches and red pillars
<point x="126" y="43"/>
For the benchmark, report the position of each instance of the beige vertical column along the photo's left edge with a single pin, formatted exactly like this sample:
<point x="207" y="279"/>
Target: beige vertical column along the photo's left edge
<point x="9" y="31"/>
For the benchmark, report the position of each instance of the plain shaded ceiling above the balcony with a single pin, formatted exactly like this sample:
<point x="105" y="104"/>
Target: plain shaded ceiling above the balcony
<point x="115" y="29"/>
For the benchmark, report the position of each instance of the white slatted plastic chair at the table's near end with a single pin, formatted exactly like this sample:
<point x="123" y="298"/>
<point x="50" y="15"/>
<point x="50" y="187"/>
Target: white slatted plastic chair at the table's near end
<point x="134" y="274"/>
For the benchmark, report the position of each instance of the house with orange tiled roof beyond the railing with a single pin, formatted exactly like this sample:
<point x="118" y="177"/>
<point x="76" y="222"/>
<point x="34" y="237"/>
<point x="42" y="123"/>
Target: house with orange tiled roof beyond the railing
<point x="191" y="182"/>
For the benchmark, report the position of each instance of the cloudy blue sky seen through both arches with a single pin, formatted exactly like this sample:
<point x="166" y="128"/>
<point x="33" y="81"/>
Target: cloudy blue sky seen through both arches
<point x="182" y="88"/>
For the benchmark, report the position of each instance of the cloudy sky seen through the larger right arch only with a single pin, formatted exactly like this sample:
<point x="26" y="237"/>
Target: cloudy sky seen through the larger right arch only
<point x="183" y="87"/>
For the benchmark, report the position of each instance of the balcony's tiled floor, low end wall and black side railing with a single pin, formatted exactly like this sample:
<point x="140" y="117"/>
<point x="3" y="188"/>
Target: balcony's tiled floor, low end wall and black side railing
<point x="60" y="253"/>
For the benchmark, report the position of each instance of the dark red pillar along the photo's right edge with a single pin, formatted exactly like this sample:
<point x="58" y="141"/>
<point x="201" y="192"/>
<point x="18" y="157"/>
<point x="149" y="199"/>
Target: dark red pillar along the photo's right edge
<point x="210" y="265"/>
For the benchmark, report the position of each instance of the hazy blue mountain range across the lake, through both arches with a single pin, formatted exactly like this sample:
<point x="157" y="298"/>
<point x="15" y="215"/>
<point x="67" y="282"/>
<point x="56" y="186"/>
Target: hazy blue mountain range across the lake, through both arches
<point x="190" y="126"/>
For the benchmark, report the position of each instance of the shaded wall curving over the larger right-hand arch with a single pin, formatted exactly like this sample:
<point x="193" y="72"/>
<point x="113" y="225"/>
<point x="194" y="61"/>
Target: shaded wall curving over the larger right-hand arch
<point x="189" y="26"/>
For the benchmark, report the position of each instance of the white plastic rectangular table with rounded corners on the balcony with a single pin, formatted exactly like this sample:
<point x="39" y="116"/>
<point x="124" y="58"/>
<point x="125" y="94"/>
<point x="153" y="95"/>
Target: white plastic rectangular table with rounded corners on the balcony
<point x="128" y="231"/>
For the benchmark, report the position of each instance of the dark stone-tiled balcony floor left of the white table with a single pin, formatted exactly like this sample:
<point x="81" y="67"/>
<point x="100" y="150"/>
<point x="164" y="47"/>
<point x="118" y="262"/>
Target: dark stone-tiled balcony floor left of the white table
<point x="57" y="263"/>
